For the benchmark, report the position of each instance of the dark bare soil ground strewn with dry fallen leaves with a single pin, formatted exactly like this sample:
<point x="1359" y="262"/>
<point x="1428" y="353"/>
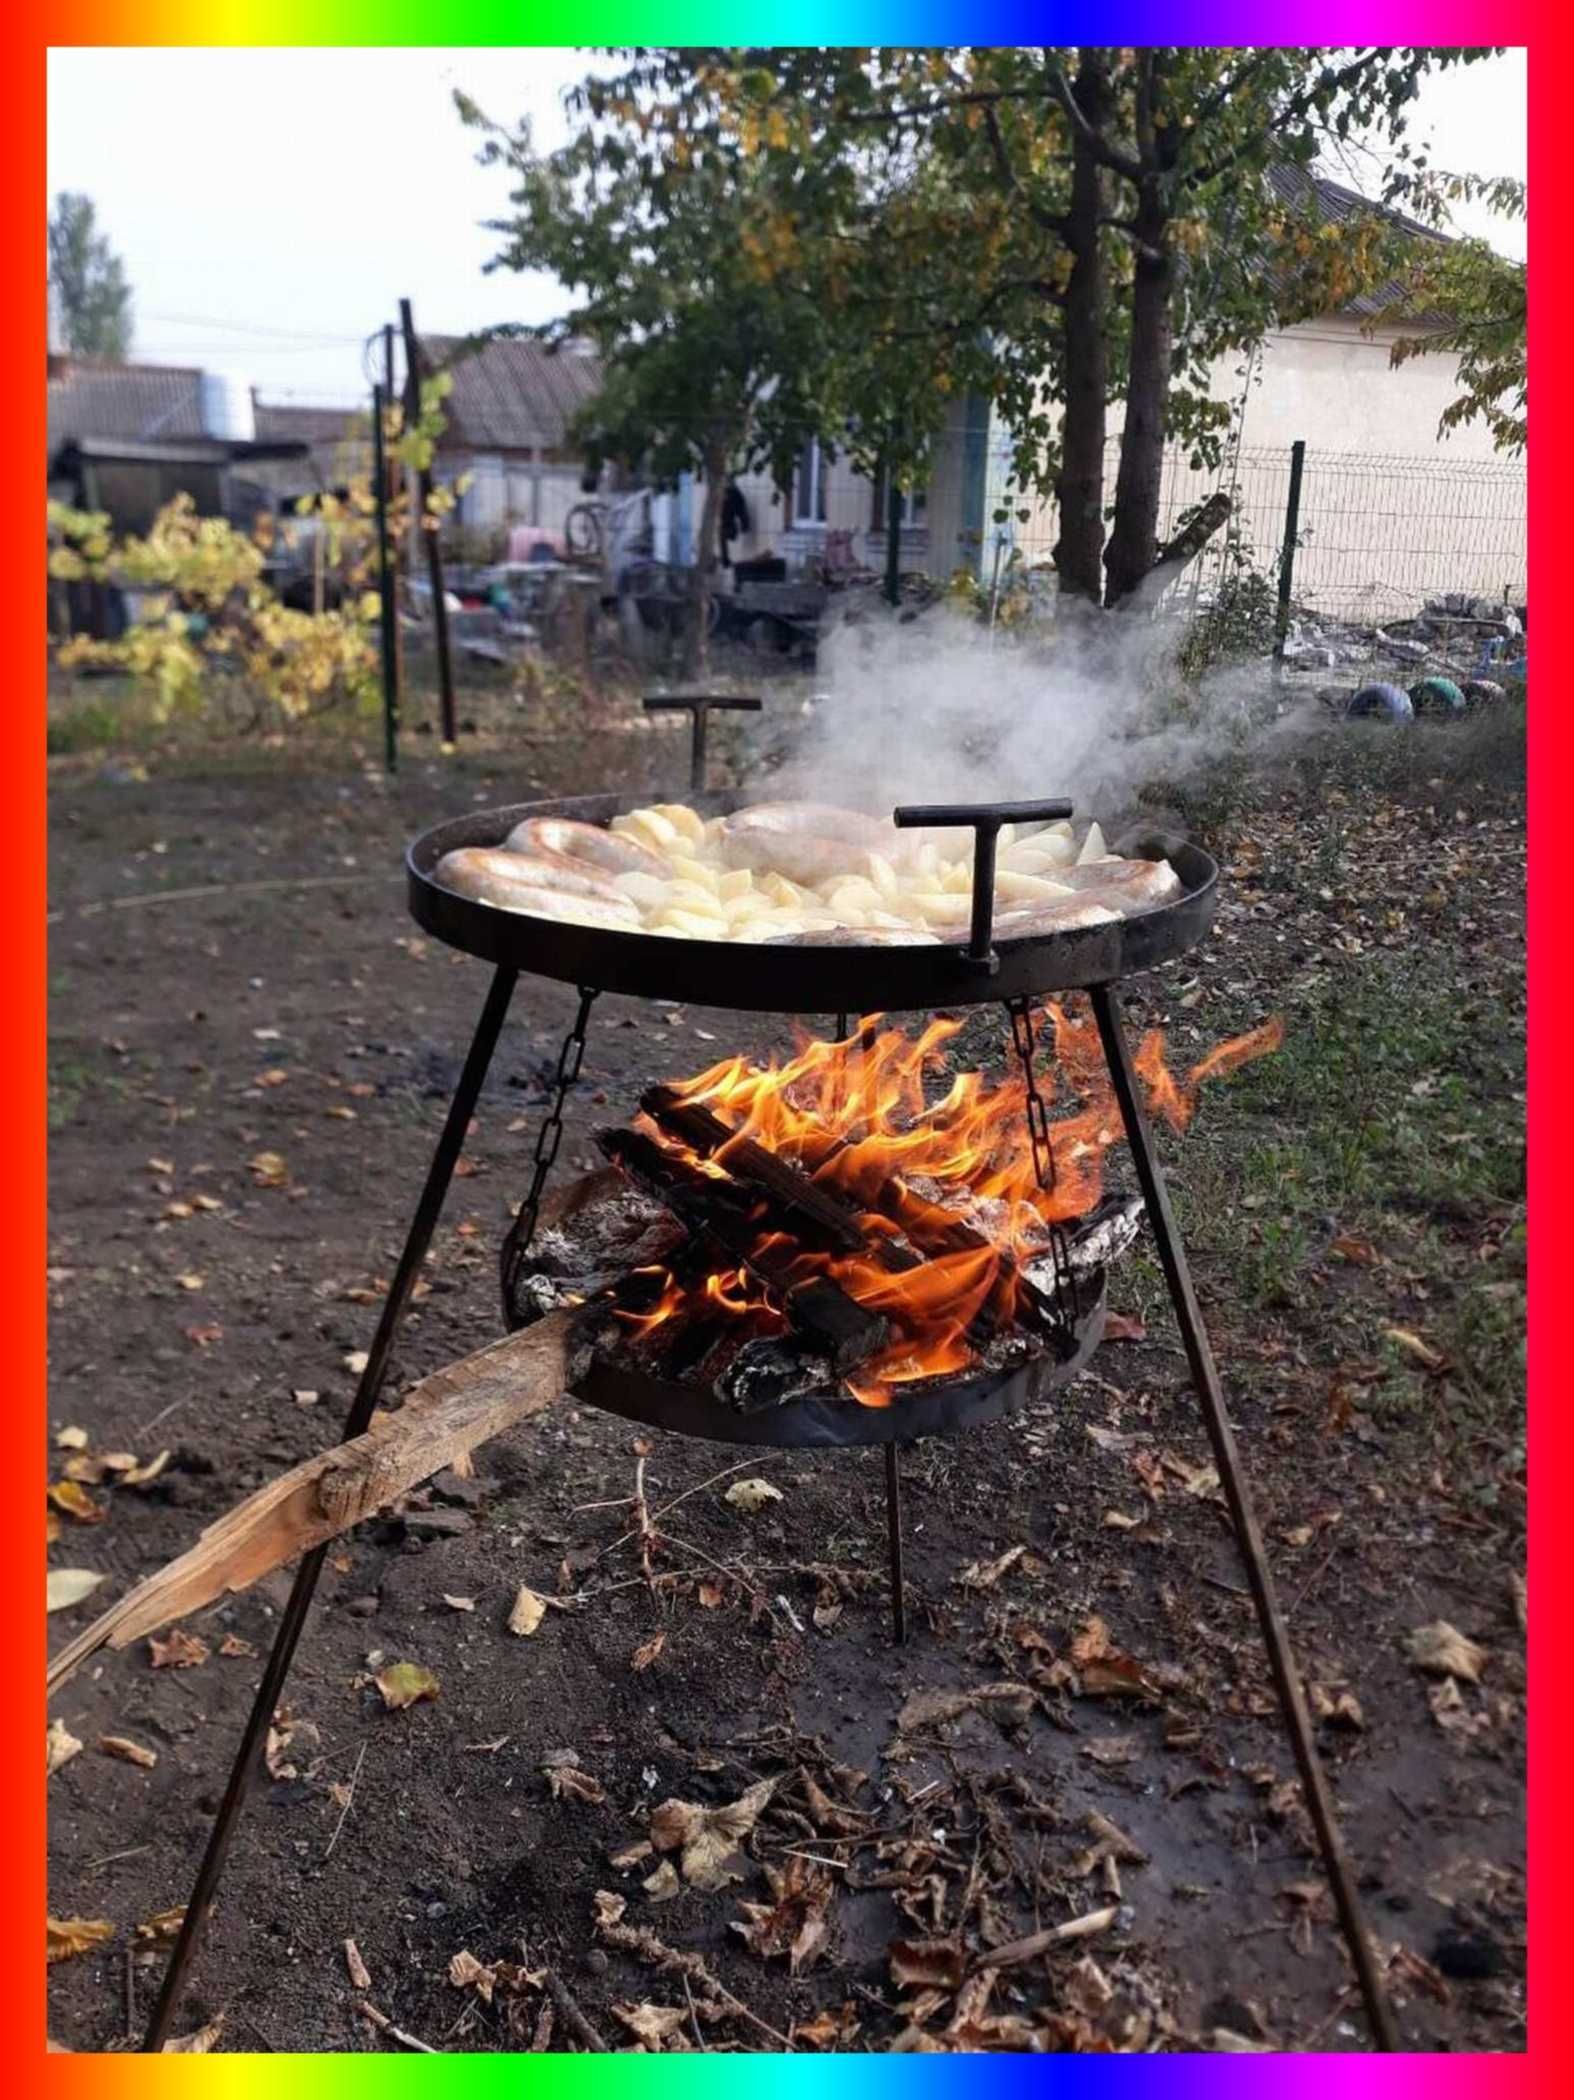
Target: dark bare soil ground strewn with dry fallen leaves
<point x="1357" y="1227"/>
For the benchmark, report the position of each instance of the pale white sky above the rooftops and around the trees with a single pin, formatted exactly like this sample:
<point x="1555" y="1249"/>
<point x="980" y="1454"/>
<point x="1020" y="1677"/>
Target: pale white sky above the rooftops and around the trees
<point x="272" y="207"/>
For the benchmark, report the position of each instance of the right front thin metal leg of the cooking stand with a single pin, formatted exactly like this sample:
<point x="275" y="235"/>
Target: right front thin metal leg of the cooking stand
<point x="1210" y="1391"/>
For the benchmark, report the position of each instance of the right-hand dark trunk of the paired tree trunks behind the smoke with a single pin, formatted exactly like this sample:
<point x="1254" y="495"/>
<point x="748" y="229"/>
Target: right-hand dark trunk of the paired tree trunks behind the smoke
<point x="1134" y="539"/>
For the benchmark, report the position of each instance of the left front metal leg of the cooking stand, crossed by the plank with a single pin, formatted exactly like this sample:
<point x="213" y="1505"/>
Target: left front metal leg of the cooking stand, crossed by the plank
<point x="366" y="1398"/>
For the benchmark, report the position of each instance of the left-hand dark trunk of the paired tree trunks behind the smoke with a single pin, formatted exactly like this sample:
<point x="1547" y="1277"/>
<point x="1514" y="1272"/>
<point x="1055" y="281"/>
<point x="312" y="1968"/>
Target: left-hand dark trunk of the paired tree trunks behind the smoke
<point x="1080" y="486"/>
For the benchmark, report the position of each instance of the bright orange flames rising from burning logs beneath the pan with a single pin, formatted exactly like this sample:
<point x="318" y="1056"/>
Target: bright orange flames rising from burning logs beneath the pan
<point x="855" y="1118"/>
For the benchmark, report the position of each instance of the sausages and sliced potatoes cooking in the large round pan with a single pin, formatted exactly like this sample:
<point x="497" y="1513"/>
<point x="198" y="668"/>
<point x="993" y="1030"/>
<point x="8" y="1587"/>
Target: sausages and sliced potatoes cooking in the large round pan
<point x="801" y="873"/>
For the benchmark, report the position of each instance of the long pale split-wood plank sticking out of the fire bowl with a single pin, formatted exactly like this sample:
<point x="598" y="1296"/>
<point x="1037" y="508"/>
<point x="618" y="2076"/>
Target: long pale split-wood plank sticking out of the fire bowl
<point x="444" y="1416"/>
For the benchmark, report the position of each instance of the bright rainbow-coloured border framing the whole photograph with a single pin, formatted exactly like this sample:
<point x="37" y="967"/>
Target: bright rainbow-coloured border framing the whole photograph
<point x="35" y="26"/>
